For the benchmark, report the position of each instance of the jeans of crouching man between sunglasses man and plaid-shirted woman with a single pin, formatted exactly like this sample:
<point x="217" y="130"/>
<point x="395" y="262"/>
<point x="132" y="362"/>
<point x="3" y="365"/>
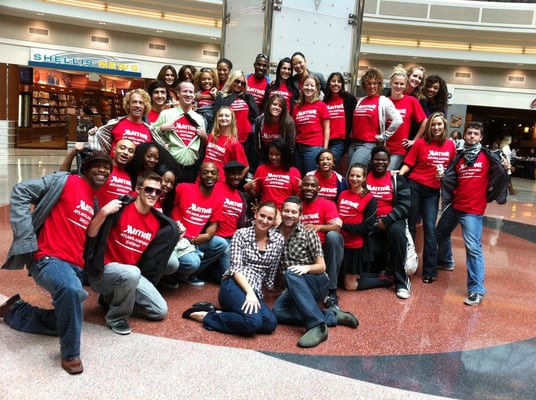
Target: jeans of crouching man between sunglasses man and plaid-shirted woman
<point x="199" y="261"/>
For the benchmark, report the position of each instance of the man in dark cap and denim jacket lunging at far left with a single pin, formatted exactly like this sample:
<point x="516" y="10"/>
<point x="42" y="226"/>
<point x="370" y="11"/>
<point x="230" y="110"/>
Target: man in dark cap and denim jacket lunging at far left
<point x="50" y="240"/>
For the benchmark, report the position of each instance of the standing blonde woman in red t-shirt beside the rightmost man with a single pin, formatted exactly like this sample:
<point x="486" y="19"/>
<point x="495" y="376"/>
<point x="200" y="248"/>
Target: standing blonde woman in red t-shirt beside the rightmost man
<point x="425" y="162"/>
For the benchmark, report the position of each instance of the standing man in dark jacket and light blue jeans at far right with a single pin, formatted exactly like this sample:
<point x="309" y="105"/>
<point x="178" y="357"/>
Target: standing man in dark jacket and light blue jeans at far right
<point x="472" y="180"/>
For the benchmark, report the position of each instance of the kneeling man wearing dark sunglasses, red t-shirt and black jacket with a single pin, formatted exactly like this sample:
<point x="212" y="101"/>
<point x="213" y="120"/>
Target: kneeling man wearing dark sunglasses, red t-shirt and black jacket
<point x="128" y="257"/>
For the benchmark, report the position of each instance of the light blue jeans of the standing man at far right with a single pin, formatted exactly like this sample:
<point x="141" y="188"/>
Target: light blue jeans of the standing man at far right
<point x="472" y="236"/>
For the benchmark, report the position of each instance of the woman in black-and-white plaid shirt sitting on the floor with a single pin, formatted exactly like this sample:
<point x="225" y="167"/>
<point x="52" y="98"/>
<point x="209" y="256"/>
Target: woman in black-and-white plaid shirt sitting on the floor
<point x="255" y="255"/>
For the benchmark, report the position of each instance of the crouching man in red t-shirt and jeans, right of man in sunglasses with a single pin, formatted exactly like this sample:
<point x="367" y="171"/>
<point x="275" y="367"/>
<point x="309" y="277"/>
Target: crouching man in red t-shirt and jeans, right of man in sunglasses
<point x="199" y="208"/>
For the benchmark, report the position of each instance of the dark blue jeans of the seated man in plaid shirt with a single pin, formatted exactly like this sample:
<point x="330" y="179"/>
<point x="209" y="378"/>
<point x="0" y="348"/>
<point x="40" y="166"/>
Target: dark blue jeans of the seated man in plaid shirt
<point x="298" y="304"/>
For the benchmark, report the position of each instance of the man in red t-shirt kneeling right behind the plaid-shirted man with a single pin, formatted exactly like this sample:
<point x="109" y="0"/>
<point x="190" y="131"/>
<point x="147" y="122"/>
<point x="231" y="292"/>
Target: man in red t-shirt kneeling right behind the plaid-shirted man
<point x="321" y="215"/>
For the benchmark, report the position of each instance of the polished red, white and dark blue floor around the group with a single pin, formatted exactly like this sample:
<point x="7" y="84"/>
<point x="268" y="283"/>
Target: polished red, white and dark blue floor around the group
<point x="429" y="345"/>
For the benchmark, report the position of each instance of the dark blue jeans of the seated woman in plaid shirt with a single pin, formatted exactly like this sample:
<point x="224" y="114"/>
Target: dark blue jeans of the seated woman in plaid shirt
<point x="233" y="319"/>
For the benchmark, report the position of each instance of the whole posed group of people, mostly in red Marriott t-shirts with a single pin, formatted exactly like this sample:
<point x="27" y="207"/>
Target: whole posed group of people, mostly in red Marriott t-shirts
<point x="164" y="198"/>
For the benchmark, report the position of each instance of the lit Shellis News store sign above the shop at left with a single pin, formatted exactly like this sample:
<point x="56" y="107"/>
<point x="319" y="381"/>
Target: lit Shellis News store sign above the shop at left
<point x="83" y="62"/>
